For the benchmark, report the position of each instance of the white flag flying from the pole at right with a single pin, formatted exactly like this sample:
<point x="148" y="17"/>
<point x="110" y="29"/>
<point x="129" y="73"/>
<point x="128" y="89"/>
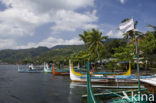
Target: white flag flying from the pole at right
<point x="127" y="25"/>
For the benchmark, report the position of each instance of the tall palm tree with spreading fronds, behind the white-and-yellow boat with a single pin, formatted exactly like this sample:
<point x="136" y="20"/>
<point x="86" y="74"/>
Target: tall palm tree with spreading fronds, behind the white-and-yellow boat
<point x="94" y="41"/>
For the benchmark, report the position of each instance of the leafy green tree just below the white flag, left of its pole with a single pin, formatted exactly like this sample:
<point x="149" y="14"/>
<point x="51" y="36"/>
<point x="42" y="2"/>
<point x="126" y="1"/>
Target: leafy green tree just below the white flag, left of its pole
<point x="128" y="52"/>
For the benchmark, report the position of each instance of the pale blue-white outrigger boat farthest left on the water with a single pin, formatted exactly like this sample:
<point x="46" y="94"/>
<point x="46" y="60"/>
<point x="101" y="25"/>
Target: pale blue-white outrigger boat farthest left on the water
<point x="30" y="69"/>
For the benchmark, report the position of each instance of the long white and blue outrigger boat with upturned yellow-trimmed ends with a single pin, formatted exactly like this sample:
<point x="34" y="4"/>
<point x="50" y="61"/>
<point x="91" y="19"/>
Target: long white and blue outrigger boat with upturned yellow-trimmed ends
<point x="100" y="78"/>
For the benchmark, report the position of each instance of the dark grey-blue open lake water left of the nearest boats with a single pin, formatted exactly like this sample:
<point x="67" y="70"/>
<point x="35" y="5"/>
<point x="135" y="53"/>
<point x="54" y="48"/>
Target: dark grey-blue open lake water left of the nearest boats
<point x="36" y="87"/>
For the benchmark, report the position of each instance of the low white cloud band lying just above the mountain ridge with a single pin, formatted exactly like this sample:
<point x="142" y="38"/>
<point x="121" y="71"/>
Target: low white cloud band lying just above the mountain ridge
<point x="48" y="42"/>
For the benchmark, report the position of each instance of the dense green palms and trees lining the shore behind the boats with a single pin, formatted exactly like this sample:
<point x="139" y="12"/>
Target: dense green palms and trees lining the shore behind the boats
<point x="121" y="50"/>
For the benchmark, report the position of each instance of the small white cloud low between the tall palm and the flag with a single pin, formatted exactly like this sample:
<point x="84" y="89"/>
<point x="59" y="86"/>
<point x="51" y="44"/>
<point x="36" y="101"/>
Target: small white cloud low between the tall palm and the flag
<point x="115" y="34"/>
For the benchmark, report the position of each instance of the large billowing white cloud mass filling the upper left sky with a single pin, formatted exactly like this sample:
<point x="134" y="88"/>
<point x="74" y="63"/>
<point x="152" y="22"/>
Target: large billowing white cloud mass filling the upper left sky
<point x="21" y="18"/>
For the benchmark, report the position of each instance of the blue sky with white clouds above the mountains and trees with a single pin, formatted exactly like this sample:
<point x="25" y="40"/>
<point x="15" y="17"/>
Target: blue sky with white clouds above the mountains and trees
<point x="33" y="23"/>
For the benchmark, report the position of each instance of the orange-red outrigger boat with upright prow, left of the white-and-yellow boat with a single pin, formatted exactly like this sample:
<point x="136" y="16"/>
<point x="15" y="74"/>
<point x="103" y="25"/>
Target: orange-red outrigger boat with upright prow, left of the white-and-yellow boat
<point x="59" y="71"/>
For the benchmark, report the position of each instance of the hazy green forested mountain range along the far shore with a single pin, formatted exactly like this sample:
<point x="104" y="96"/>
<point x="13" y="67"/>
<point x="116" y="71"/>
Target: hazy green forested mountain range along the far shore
<point x="44" y="54"/>
